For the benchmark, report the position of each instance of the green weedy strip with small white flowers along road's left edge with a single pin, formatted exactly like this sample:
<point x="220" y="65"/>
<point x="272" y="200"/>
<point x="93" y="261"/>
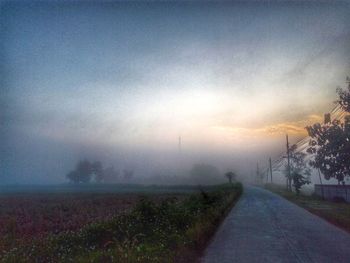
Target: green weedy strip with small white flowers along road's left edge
<point x="169" y="231"/>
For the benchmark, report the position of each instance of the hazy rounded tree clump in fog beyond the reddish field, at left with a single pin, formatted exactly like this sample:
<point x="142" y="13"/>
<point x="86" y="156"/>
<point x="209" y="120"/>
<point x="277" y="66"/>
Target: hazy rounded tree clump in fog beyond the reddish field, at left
<point x="86" y="172"/>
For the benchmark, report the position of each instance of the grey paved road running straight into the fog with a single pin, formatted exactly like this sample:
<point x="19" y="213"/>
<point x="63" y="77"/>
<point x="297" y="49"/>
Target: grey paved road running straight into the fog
<point x="264" y="227"/>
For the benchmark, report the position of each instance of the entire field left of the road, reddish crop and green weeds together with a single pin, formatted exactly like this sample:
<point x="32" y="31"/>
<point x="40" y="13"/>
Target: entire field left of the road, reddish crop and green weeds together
<point x="110" y="224"/>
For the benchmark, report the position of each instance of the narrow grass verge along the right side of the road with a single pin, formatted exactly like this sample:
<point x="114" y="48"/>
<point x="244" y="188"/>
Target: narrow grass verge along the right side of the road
<point x="336" y="213"/>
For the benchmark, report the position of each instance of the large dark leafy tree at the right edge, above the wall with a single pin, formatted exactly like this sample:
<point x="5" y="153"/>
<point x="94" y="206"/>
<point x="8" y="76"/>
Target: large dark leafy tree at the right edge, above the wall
<point x="330" y="142"/>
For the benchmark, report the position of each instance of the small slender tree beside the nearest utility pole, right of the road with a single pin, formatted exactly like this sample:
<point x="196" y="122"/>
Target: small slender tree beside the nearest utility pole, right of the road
<point x="299" y="170"/>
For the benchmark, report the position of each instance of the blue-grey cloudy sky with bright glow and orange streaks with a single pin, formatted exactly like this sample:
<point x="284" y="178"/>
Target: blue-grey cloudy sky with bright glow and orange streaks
<point x="121" y="81"/>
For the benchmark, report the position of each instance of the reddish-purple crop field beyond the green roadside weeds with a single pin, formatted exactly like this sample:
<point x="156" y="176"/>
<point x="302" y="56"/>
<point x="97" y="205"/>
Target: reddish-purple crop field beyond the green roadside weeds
<point x="34" y="215"/>
